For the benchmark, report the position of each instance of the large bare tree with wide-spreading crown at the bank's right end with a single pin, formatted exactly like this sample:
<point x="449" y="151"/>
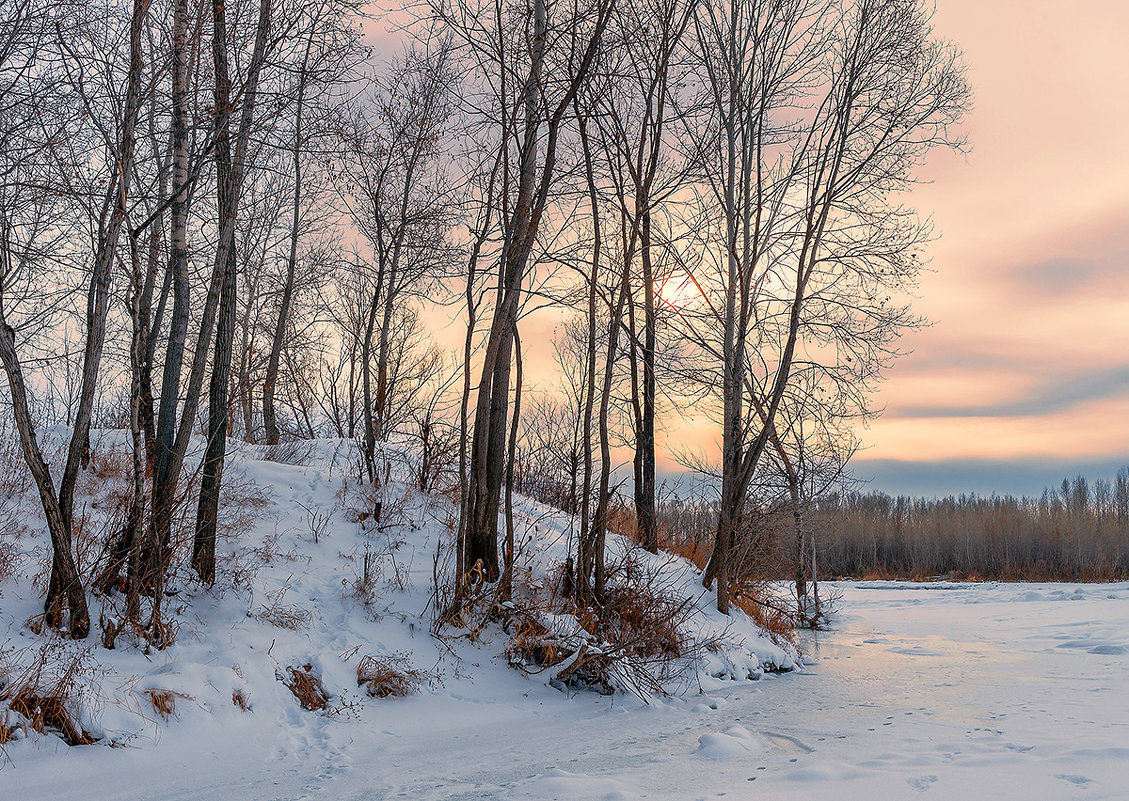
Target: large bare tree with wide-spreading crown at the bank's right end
<point x="809" y="229"/>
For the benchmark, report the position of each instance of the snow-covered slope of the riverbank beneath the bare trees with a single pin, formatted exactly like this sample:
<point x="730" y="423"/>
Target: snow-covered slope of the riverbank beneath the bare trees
<point x="292" y="595"/>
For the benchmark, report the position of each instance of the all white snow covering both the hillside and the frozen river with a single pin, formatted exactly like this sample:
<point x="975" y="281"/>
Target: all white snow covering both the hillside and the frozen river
<point x="953" y="691"/>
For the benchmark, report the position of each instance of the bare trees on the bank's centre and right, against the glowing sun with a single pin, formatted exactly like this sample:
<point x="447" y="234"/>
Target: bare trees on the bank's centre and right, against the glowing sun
<point x="723" y="179"/>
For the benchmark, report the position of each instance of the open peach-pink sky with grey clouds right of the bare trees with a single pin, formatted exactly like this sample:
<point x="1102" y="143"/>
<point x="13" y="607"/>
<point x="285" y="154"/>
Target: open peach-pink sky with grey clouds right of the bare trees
<point x="1022" y="377"/>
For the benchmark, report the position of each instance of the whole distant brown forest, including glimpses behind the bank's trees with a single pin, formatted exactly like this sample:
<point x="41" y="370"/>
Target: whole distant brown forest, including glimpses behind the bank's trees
<point x="1078" y="532"/>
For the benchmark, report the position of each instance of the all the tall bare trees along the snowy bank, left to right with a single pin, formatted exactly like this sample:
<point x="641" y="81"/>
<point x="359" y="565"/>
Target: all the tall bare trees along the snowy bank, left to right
<point x="233" y="202"/>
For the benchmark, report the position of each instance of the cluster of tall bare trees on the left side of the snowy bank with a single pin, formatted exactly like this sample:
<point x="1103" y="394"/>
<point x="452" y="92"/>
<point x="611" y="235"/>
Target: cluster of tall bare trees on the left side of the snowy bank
<point x="136" y="136"/>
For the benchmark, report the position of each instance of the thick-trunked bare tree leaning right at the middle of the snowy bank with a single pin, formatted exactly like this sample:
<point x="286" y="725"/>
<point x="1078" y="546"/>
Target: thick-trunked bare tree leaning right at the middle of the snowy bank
<point x="528" y="89"/>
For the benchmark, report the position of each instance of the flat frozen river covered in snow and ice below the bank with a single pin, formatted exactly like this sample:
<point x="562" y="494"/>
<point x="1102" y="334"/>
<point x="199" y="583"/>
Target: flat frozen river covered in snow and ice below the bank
<point x="943" y="691"/>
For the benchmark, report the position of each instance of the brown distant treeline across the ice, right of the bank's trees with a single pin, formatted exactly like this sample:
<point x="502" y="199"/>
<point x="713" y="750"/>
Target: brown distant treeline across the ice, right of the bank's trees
<point x="1077" y="533"/>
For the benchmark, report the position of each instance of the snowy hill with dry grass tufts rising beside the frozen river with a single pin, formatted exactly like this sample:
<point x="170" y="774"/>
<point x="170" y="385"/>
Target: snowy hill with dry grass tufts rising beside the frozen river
<point x="317" y="606"/>
